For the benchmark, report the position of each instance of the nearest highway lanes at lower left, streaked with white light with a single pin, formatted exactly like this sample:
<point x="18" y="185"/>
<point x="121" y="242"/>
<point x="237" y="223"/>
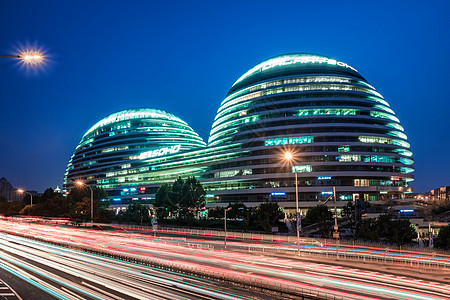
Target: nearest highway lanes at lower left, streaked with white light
<point x="70" y="274"/>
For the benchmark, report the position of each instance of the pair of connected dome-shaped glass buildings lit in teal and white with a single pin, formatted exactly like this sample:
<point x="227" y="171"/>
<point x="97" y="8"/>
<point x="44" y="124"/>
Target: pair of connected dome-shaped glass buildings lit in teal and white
<point x="339" y="129"/>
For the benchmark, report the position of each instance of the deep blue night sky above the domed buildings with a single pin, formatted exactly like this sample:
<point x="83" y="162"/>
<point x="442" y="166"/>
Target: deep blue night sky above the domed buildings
<point x="183" y="56"/>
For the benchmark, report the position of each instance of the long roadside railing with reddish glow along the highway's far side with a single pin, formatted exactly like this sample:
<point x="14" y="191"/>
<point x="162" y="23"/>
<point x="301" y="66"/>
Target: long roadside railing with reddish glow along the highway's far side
<point x="348" y="250"/>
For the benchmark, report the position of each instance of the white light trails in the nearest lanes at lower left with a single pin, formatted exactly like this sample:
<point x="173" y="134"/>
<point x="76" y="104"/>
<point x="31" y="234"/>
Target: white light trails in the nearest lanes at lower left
<point x="112" y="274"/>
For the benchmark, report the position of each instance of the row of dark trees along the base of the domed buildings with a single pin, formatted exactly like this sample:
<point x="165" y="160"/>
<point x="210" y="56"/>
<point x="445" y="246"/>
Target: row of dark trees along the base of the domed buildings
<point x="182" y="203"/>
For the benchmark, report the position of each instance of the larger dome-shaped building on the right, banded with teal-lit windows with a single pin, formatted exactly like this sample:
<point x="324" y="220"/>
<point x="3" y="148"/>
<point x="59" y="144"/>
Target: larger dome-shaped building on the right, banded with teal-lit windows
<point x="341" y="132"/>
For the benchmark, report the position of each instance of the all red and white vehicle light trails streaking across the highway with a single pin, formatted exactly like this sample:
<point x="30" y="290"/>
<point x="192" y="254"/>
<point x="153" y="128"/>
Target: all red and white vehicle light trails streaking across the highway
<point x="131" y="279"/>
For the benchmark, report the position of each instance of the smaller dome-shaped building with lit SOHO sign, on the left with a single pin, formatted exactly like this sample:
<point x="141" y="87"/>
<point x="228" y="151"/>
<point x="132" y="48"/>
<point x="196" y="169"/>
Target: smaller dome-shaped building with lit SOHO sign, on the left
<point x="118" y="151"/>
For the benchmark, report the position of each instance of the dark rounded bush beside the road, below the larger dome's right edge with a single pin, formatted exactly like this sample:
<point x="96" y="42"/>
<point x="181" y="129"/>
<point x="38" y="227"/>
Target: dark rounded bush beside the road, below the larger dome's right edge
<point x="396" y="231"/>
